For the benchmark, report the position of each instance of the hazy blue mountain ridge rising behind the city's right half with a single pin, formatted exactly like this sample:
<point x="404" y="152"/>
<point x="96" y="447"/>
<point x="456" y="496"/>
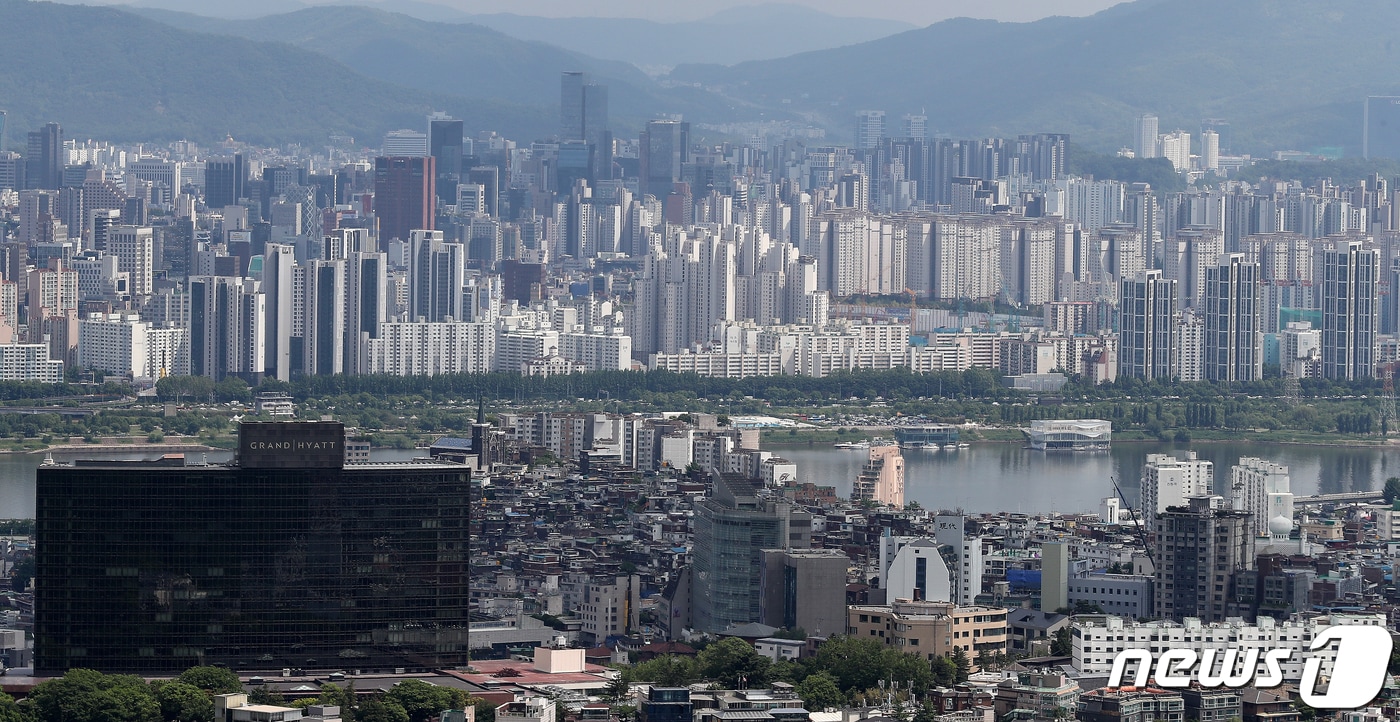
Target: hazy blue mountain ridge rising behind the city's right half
<point x="1286" y="73"/>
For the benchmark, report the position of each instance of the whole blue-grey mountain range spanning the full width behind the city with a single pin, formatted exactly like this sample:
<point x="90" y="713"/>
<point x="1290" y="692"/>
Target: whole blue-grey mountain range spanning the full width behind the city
<point x="1284" y="73"/>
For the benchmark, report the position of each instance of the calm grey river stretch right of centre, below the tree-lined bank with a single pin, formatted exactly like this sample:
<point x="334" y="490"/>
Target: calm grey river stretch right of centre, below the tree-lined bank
<point x="990" y="478"/>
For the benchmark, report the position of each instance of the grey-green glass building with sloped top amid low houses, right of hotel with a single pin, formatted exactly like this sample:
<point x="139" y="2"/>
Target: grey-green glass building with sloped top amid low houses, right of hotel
<point x="731" y="531"/>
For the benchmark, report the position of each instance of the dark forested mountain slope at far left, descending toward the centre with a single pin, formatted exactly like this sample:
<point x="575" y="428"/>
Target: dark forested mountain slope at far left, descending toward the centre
<point x="113" y="75"/>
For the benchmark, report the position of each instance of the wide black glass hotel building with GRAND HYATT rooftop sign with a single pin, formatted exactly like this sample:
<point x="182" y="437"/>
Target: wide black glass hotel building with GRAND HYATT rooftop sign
<point x="283" y="559"/>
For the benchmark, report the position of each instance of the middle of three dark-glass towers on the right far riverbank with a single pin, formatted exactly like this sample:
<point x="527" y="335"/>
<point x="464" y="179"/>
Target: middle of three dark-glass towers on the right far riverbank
<point x="1234" y="338"/>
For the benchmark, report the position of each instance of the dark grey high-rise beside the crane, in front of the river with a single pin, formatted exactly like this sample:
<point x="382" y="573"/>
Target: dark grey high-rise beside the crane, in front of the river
<point x="1198" y="551"/>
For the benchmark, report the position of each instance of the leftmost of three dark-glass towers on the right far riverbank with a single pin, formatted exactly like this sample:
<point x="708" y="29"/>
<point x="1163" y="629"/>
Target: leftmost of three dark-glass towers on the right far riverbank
<point x="1147" y="327"/>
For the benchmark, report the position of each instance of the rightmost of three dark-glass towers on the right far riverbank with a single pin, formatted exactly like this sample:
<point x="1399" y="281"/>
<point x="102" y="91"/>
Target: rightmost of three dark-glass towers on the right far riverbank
<point x="1350" y="310"/>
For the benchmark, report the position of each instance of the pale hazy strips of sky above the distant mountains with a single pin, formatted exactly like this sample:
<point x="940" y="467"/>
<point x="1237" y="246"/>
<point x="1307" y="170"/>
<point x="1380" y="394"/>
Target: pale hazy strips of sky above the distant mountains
<point x="916" y="12"/>
